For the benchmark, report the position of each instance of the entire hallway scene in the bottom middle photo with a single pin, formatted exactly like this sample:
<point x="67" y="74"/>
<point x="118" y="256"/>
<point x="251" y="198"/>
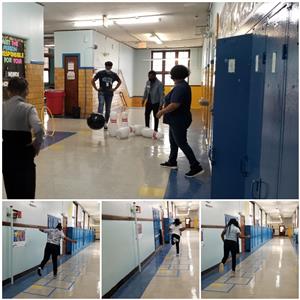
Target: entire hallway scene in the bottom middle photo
<point x="147" y="265"/>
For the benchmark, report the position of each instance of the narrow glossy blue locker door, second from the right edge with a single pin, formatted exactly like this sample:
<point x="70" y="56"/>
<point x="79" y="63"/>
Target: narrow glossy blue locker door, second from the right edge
<point x="273" y="106"/>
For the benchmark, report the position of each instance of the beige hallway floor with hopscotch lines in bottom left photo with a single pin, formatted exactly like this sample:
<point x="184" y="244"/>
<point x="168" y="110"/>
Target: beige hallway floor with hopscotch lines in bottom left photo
<point x="78" y="277"/>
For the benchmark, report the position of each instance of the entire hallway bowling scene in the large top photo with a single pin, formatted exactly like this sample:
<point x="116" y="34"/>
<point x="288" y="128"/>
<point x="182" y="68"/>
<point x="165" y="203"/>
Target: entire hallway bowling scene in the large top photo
<point x="237" y="59"/>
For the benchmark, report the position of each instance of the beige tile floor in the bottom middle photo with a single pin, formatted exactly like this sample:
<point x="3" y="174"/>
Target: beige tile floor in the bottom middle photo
<point x="178" y="277"/>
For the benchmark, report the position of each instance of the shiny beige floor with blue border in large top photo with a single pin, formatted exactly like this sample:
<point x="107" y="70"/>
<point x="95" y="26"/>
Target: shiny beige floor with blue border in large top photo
<point x="89" y="163"/>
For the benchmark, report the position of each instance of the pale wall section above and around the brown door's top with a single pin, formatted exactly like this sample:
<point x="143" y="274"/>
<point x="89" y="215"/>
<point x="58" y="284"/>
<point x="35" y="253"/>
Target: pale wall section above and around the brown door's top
<point x="74" y="42"/>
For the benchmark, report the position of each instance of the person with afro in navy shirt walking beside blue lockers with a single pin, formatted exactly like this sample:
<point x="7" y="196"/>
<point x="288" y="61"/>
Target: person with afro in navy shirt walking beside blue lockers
<point x="177" y="115"/>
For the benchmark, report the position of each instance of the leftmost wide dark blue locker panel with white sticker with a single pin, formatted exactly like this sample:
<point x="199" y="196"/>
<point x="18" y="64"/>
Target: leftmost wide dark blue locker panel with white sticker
<point x="233" y="63"/>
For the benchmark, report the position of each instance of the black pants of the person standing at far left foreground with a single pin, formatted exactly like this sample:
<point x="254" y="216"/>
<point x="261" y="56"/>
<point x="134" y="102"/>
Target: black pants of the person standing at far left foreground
<point x="20" y="183"/>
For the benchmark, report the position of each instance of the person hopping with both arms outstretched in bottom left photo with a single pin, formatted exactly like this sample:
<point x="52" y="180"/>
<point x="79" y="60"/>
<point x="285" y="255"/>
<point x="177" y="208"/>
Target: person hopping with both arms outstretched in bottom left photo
<point x="52" y="248"/>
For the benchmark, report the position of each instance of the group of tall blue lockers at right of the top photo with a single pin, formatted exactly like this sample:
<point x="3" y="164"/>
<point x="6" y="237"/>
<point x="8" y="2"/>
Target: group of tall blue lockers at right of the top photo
<point x="255" y="133"/>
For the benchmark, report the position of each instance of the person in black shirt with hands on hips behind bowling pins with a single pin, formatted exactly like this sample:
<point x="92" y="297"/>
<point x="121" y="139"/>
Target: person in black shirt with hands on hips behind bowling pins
<point x="105" y="91"/>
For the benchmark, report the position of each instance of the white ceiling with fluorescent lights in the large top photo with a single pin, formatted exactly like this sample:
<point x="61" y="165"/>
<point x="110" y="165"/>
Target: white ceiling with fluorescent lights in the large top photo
<point x="182" y="24"/>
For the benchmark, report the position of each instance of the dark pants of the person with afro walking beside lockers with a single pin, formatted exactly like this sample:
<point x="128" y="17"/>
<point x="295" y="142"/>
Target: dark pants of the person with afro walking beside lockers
<point x="178" y="139"/>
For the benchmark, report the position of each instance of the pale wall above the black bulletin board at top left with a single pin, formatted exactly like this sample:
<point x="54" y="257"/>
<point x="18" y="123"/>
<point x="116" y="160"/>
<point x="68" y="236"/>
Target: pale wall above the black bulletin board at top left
<point x="25" y="20"/>
